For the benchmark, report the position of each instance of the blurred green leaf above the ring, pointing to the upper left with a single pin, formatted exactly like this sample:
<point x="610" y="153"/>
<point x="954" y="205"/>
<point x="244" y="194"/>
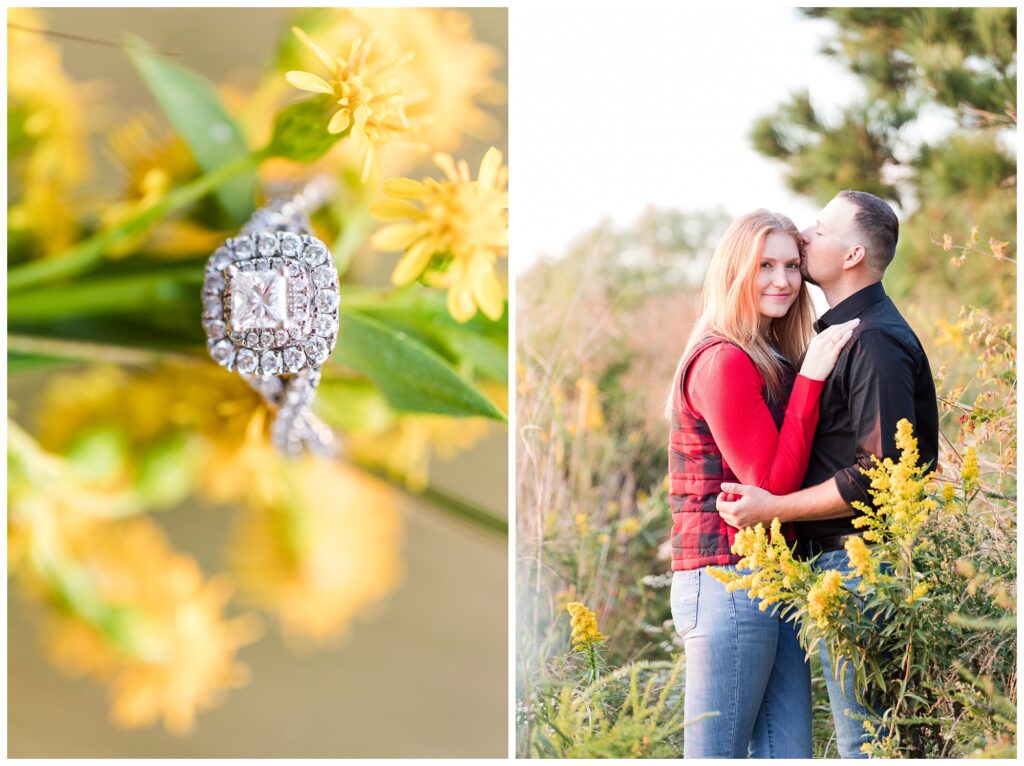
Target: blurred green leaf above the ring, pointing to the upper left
<point x="191" y="104"/>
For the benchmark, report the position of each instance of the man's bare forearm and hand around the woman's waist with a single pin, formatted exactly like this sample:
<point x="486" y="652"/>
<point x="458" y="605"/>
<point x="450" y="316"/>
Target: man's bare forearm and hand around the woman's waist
<point x="754" y="505"/>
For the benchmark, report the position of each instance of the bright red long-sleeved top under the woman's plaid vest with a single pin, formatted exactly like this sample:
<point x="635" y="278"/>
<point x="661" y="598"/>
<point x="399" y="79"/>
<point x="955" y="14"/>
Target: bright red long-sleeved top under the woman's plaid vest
<point x="726" y="389"/>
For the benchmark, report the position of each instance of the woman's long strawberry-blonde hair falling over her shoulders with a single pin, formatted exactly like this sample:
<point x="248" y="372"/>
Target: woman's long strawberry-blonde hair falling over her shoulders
<point x="730" y="303"/>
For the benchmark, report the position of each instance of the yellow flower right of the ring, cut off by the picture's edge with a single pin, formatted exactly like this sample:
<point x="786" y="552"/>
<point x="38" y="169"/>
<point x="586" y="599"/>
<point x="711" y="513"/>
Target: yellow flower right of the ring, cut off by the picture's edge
<point x="457" y="236"/>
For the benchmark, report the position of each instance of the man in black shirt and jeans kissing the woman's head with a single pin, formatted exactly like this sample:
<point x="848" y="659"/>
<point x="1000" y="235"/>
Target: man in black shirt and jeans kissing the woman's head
<point x="882" y="376"/>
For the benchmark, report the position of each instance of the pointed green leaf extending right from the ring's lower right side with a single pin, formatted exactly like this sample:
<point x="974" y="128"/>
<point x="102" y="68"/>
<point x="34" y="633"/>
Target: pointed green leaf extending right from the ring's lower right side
<point x="413" y="377"/>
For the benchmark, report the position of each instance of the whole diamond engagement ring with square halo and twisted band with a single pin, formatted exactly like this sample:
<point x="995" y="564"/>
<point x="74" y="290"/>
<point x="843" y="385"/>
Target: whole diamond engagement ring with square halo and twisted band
<point x="271" y="313"/>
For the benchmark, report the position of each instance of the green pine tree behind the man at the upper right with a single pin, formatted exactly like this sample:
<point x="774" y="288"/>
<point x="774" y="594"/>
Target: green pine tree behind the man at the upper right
<point x="918" y="66"/>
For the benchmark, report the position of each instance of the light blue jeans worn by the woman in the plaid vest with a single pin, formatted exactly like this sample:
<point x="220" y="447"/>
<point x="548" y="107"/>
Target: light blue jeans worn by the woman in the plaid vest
<point x="744" y="665"/>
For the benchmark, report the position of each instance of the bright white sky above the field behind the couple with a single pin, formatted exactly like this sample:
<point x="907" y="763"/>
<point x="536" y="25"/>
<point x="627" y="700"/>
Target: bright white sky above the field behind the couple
<point x="617" y="110"/>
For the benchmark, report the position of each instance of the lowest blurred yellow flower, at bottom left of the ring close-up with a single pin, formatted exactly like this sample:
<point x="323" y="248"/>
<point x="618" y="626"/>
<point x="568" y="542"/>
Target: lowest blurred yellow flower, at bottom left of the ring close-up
<point x="173" y="654"/>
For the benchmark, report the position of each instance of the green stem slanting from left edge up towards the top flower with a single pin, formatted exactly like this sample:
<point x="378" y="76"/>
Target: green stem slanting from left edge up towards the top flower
<point x="90" y="252"/>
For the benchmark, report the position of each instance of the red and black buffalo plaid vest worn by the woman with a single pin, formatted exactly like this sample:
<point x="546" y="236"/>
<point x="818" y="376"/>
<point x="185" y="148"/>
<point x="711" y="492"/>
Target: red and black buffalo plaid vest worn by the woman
<point x="697" y="471"/>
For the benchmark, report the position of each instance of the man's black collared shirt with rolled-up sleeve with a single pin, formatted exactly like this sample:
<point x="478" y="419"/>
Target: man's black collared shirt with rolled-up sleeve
<point x="881" y="376"/>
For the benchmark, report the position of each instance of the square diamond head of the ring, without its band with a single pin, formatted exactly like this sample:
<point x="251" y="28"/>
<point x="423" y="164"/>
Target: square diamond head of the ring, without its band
<point x="271" y="304"/>
